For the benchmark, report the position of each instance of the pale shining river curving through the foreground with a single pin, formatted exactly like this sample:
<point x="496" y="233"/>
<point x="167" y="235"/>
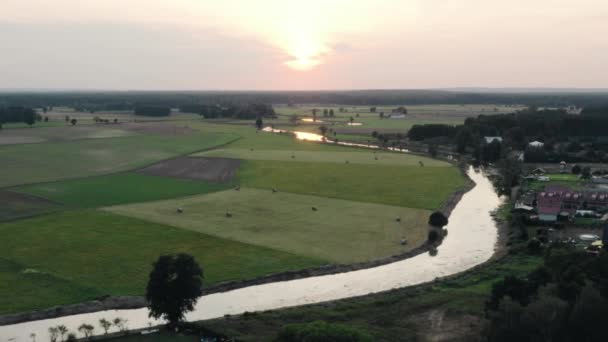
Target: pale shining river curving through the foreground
<point x="471" y="241"/>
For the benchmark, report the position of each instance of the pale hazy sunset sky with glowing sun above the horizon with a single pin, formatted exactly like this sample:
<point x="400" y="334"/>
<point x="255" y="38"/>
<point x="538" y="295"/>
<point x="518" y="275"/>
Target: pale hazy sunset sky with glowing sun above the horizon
<point x="302" y="44"/>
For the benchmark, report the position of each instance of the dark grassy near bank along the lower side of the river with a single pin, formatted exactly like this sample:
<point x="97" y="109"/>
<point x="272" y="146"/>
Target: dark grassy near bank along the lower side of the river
<point x="448" y="309"/>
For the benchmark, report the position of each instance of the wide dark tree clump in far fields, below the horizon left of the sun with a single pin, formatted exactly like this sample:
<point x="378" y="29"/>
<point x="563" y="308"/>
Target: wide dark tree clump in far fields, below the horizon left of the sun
<point x="238" y="111"/>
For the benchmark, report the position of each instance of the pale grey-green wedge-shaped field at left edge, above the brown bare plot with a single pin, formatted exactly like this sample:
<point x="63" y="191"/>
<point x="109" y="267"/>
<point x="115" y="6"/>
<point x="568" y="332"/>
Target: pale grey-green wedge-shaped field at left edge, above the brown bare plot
<point x="32" y="163"/>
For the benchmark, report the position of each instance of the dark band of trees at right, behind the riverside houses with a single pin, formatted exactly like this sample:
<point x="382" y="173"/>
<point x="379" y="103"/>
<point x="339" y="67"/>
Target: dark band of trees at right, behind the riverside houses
<point x="573" y="138"/>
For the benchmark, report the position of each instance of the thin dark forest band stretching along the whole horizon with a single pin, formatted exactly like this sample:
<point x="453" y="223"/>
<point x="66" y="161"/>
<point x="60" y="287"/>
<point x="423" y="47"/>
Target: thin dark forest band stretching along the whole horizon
<point x="94" y="101"/>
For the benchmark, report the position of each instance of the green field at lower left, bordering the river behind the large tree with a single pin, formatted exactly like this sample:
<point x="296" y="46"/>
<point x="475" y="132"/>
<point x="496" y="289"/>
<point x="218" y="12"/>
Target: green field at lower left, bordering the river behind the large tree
<point x="80" y="255"/>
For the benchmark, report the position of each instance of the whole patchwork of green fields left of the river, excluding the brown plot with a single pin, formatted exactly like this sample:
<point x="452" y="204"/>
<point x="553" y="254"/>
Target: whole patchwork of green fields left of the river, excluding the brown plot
<point x="78" y="253"/>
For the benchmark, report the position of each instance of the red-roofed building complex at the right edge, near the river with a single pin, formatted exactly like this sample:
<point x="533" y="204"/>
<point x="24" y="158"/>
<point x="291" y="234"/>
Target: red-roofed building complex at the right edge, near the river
<point x="559" y="200"/>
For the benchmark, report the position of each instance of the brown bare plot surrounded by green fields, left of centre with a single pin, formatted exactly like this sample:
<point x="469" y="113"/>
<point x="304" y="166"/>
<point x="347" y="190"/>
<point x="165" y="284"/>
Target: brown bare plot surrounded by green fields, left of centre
<point x="210" y="169"/>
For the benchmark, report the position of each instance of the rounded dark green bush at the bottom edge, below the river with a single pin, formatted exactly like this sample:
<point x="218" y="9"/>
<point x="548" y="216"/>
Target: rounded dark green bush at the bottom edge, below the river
<point x="320" y="331"/>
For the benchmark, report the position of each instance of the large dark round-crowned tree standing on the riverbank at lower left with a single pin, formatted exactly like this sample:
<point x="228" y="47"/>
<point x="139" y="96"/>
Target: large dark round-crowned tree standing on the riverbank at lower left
<point x="174" y="287"/>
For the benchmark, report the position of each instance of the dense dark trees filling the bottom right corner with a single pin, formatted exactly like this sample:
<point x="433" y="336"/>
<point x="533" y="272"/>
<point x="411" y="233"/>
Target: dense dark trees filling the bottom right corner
<point x="564" y="301"/>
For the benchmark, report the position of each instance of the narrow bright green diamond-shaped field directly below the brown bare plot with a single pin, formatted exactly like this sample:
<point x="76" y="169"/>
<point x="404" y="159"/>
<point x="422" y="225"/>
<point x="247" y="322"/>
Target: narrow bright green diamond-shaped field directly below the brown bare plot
<point x="118" y="189"/>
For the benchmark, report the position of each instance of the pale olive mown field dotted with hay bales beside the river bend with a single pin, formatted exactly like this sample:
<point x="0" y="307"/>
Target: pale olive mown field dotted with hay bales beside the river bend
<point x="339" y="231"/>
